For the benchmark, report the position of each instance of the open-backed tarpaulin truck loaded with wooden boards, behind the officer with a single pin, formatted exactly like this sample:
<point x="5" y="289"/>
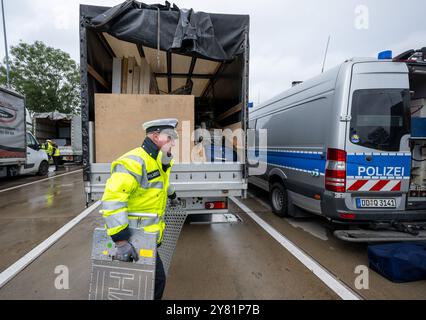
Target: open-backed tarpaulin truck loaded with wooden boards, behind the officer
<point x="183" y="53"/>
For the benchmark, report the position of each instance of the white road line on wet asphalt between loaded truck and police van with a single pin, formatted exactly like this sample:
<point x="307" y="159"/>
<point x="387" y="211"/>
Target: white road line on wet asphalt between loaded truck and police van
<point x="324" y="275"/>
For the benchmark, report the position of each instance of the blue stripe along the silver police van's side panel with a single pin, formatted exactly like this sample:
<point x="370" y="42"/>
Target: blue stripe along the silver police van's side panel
<point x="292" y="160"/>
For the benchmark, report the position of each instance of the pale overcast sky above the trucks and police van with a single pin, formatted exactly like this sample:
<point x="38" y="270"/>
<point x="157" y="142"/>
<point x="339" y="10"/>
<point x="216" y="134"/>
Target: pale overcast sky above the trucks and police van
<point x="288" y="38"/>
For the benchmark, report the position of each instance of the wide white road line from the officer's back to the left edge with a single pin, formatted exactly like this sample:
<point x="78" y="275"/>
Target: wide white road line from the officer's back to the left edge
<point x="22" y="263"/>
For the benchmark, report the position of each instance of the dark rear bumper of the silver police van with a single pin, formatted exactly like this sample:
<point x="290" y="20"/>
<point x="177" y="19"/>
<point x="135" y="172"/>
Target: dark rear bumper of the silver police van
<point x="334" y="209"/>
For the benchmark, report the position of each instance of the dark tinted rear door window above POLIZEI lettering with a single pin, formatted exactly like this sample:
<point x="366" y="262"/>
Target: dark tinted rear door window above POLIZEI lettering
<point x="380" y="118"/>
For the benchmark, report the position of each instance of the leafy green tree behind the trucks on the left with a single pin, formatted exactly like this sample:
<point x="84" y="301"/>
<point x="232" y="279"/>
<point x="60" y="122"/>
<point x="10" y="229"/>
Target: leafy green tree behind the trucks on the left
<point x="48" y="77"/>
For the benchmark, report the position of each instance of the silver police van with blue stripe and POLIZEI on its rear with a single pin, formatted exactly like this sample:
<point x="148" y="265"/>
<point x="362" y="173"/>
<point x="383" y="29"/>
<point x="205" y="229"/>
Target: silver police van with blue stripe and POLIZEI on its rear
<point x="341" y="146"/>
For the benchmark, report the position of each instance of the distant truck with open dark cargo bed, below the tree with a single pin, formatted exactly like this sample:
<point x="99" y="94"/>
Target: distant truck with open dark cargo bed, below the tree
<point x="64" y="129"/>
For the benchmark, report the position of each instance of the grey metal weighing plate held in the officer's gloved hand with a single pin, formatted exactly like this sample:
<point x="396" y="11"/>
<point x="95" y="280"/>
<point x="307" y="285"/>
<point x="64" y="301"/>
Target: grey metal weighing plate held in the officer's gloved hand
<point x="116" y="280"/>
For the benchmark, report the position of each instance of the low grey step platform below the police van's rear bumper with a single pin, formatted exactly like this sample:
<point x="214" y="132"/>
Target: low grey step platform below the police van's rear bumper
<point x="375" y="236"/>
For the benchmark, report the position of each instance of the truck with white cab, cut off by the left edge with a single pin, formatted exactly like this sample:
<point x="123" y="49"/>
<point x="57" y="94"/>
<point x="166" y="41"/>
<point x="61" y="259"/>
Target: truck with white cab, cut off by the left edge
<point x="20" y="152"/>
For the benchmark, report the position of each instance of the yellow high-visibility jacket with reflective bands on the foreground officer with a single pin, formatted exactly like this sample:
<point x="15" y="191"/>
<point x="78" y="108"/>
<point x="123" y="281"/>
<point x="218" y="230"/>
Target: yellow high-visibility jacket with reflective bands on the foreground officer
<point x="137" y="190"/>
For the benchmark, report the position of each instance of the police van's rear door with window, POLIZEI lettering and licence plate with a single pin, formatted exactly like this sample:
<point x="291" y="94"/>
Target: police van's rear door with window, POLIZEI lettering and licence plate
<point x="378" y="159"/>
